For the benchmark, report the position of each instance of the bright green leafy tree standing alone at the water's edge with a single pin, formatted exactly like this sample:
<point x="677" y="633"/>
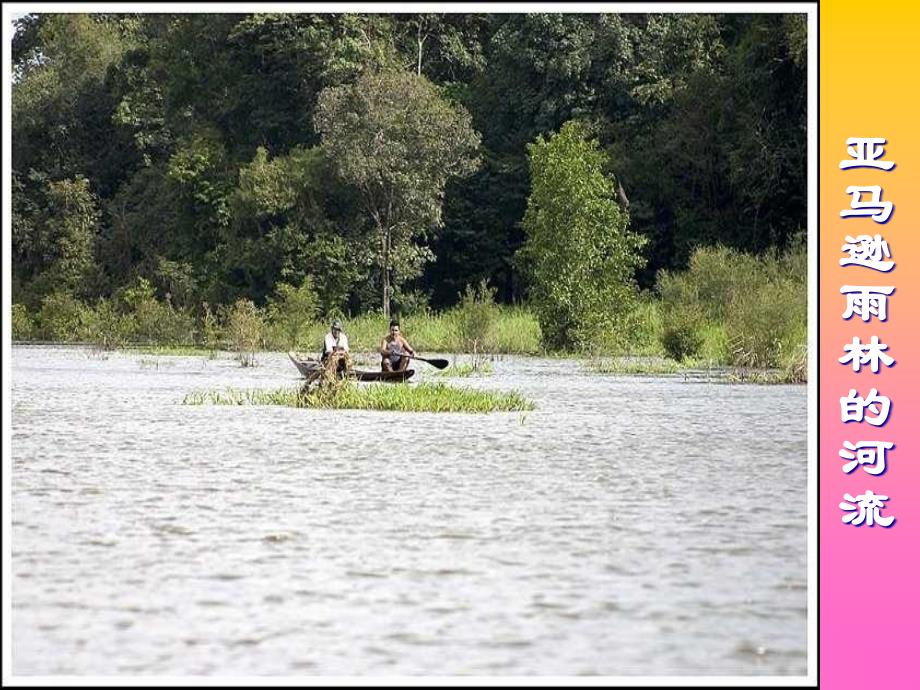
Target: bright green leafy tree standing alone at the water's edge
<point x="579" y="254"/>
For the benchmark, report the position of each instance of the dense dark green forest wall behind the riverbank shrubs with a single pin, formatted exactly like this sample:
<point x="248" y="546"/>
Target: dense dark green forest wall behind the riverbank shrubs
<point x="220" y="155"/>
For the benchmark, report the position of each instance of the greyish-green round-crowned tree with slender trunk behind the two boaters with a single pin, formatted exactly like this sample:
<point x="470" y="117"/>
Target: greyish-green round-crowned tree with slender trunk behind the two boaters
<point x="398" y="142"/>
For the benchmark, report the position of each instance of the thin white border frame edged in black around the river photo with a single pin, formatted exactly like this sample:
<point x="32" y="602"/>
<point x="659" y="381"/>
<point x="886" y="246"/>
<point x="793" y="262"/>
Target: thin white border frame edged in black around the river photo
<point x="811" y="9"/>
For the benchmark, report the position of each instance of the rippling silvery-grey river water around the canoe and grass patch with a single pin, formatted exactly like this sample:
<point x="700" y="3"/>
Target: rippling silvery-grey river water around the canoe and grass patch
<point x="628" y="525"/>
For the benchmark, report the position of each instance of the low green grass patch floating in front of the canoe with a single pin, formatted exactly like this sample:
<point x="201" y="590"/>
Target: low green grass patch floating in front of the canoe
<point x="436" y="397"/>
